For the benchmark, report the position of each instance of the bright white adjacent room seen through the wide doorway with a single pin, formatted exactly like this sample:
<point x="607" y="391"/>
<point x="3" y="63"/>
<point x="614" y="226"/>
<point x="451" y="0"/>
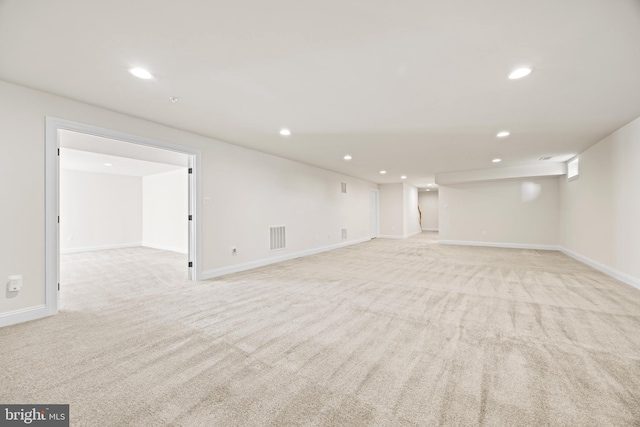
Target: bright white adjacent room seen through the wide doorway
<point x="119" y="202"/>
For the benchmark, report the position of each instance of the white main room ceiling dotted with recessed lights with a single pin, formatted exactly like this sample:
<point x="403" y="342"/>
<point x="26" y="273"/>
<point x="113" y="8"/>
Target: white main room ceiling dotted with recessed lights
<point x="415" y="87"/>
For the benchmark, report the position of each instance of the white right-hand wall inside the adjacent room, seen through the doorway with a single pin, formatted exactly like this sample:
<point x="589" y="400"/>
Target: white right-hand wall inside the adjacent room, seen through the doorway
<point x="165" y="210"/>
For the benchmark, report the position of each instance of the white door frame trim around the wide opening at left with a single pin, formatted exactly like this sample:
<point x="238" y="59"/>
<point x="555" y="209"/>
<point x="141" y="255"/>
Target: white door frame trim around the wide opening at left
<point x="52" y="199"/>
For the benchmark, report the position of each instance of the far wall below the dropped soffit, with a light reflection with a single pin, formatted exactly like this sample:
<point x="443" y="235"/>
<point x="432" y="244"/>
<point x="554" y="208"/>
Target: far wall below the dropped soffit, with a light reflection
<point x="514" y="211"/>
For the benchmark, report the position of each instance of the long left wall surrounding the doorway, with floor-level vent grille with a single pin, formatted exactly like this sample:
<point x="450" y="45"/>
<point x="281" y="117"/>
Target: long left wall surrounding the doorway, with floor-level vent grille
<point x="249" y="191"/>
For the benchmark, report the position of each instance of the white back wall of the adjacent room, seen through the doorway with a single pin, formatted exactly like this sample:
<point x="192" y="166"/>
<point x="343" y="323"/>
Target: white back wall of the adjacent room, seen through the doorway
<point x="99" y="211"/>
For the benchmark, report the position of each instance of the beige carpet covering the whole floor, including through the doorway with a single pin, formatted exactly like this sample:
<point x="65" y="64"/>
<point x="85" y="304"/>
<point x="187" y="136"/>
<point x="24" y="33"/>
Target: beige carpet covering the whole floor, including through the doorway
<point x="387" y="333"/>
